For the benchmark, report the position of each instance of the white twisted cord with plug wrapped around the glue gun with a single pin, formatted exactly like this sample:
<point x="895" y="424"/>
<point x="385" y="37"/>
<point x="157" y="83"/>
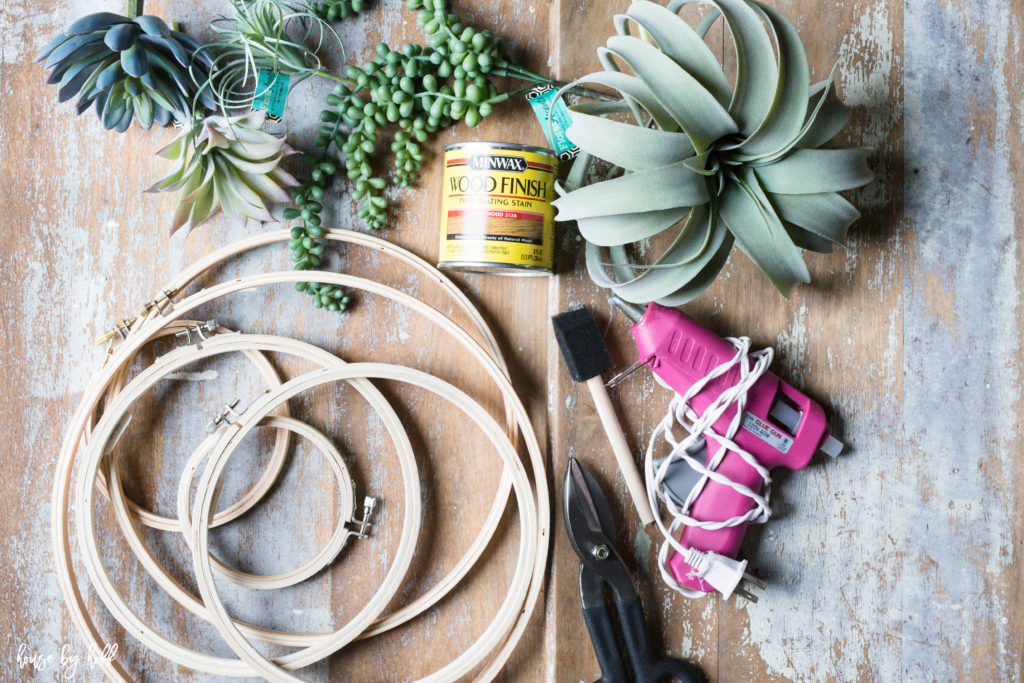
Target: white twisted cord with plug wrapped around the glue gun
<point x="722" y="573"/>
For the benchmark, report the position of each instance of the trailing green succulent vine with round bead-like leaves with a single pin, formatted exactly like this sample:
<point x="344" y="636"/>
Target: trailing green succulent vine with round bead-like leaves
<point x="416" y="91"/>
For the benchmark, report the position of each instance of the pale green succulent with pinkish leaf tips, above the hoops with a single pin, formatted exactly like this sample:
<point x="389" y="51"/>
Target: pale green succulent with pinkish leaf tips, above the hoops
<point x="230" y="164"/>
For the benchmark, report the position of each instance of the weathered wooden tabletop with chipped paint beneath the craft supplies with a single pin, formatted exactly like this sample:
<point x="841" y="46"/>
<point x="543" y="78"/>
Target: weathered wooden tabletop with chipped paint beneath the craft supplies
<point x="901" y="561"/>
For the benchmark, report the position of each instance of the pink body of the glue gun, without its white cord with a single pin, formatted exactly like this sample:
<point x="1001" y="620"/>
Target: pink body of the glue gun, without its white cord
<point x="781" y="426"/>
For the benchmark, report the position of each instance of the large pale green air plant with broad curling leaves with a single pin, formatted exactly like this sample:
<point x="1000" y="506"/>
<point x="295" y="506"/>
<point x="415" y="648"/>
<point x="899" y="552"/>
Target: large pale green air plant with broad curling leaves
<point x="714" y="163"/>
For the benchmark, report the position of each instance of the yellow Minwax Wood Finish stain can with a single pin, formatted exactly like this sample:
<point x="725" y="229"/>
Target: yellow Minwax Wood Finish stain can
<point x="496" y="215"/>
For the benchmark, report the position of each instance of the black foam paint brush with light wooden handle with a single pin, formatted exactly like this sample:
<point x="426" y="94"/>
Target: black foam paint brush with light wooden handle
<point x="587" y="358"/>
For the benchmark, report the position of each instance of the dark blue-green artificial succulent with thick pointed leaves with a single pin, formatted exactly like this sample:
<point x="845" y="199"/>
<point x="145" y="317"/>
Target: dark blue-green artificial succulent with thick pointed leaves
<point x="130" y="69"/>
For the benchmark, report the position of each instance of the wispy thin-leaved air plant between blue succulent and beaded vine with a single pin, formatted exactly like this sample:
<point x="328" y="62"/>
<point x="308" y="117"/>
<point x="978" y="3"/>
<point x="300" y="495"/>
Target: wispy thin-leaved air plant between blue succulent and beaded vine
<point x="265" y="35"/>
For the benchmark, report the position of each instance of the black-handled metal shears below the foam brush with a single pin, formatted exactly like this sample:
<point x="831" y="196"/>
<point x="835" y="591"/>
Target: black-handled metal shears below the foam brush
<point x="591" y="530"/>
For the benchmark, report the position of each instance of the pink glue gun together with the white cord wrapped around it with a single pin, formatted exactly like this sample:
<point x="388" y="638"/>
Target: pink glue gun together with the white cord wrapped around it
<point x="742" y="421"/>
